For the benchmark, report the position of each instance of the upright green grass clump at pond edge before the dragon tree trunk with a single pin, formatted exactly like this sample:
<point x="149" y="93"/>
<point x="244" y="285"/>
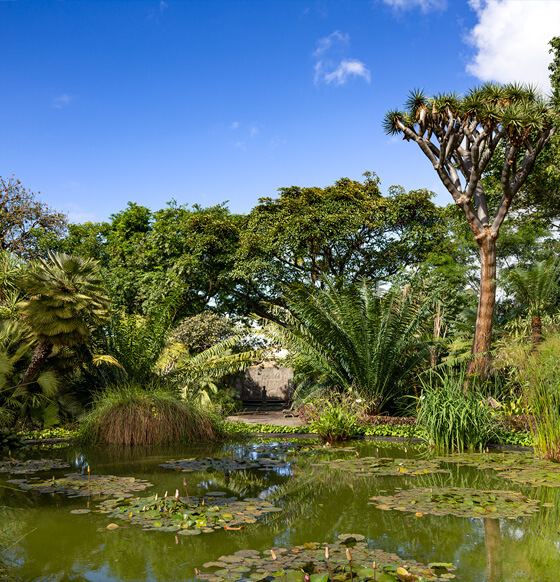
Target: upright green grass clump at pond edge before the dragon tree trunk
<point x="453" y="412"/>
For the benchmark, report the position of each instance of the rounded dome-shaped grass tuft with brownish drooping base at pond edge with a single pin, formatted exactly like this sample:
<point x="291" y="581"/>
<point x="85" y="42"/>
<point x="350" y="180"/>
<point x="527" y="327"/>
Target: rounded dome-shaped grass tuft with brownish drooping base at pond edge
<point x="132" y="415"/>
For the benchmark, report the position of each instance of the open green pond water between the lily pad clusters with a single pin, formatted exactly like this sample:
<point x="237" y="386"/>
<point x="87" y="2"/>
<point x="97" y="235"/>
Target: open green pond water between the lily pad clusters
<point x="318" y="502"/>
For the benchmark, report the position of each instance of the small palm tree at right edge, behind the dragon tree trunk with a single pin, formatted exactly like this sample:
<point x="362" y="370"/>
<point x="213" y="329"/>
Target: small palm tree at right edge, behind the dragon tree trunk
<point x="536" y="288"/>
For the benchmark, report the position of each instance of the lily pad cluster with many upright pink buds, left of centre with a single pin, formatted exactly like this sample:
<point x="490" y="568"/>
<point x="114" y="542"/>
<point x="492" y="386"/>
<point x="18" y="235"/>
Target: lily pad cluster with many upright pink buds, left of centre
<point x="182" y="514"/>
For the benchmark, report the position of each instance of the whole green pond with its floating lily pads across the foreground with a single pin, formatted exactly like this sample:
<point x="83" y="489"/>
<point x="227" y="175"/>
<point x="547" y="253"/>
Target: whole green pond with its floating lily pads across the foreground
<point x="494" y="516"/>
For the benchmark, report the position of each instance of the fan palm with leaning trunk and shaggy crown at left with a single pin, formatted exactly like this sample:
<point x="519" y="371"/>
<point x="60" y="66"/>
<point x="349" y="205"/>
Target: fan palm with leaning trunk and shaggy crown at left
<point x="66" y="299"/>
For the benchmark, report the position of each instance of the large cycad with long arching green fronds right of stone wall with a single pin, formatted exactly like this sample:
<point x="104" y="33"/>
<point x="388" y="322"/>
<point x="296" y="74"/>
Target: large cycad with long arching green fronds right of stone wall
<point x="352" y="340"/>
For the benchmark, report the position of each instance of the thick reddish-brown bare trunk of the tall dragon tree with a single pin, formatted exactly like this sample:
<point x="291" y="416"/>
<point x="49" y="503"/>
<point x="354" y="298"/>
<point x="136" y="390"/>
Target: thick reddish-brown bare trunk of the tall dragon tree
<point x="486" y="302"/>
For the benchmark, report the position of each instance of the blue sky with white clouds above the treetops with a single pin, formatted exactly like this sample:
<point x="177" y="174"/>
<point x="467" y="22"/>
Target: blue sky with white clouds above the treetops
<point x="204" y="102"/>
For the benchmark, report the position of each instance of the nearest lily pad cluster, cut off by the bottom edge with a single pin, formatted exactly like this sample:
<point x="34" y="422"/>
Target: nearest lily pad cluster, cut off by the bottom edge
<point x="293" y="564"/>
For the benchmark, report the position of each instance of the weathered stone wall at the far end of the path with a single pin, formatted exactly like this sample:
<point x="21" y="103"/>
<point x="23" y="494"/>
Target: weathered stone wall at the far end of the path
<point x="276" y="380"/>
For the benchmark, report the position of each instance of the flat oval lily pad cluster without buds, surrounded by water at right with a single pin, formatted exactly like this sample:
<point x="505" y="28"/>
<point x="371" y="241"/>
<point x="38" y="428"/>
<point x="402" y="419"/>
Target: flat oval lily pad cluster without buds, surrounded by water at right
<point x="459" y="502"/>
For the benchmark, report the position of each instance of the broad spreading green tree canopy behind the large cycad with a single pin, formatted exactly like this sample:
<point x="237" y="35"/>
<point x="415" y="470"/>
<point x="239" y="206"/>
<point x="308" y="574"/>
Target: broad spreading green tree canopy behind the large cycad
<point x="346" y="231"/>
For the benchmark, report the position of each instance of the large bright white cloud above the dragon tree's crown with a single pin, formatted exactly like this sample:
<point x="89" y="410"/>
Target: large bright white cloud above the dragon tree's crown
<point x="511" y="40"/>
